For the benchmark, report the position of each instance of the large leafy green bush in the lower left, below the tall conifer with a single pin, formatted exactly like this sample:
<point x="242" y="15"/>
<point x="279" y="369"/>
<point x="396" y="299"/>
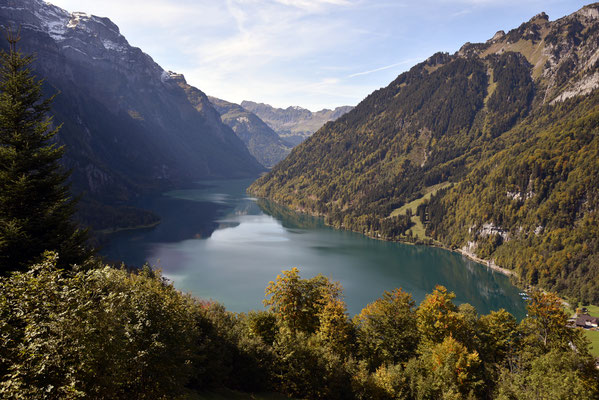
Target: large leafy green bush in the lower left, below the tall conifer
<point x="102" y="333"/>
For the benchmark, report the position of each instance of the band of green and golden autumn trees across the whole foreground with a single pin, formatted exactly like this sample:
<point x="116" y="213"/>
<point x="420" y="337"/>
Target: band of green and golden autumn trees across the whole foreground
<point x="102" y="332"/>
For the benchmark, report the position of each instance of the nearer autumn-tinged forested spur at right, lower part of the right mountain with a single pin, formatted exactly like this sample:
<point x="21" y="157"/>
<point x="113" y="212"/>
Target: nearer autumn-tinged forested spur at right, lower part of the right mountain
<point x="550" y="210"/>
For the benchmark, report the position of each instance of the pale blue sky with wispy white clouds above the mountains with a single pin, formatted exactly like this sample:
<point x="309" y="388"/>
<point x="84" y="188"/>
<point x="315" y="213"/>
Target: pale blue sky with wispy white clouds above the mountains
<point x="310" y="53"/>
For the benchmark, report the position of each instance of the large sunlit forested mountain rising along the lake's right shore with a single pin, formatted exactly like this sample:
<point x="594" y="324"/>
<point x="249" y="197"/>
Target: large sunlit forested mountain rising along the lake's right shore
<point x="492" y="151"/>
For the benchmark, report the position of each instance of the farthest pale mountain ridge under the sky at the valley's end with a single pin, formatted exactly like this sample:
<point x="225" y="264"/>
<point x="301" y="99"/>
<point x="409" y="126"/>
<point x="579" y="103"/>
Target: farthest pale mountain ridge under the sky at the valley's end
<point x="294" y="124"/>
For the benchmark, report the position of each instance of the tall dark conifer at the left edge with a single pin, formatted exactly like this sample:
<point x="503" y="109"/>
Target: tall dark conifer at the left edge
<point x="36" y="209"/>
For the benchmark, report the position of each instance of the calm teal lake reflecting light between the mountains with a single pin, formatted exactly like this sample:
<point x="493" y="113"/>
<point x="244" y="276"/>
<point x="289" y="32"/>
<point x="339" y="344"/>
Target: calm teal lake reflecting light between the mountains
<point x="217" y="243"/>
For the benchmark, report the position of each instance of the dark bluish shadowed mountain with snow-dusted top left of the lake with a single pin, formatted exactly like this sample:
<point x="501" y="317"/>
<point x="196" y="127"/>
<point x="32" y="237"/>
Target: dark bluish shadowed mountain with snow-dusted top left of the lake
<point x="129" y="126"/>
